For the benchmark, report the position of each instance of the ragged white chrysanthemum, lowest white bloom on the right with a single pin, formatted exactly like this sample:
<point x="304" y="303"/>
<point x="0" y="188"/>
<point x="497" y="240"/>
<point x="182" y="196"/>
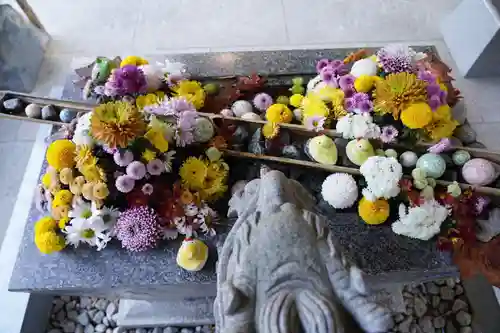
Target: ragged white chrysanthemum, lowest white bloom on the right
<point x="421" y="222"/>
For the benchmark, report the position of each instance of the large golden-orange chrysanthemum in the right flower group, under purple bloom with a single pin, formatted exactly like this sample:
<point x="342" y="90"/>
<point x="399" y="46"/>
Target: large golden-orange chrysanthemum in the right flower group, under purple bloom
<point x="397" y="91"/>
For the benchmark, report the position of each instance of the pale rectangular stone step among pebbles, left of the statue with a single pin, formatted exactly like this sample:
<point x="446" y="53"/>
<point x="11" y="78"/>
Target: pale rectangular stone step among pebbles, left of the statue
<point x="188" y="312"/>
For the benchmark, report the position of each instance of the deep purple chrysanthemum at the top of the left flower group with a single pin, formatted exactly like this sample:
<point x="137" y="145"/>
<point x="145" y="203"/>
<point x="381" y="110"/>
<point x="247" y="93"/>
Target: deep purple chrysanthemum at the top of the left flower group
<point x="128" y="79"/>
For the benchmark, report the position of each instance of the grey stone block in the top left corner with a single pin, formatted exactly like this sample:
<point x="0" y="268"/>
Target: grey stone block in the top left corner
<point x="18" y="39"/>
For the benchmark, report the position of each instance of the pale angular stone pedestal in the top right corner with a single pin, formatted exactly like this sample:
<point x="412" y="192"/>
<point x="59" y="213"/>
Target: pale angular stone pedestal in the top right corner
<point x="472" y="34"/>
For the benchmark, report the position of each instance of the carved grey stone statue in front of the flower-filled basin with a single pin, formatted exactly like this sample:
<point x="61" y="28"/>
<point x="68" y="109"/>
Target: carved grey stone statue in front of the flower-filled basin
<point x="280" y="271"/>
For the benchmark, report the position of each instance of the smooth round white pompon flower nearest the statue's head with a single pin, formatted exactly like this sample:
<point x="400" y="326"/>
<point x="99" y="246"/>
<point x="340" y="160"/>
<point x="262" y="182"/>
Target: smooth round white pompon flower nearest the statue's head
<point x="339" y="190"/>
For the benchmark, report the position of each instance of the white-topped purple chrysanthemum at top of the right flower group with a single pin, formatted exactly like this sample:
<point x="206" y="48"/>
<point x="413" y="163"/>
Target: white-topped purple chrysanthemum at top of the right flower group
<point x="396" y="58"/>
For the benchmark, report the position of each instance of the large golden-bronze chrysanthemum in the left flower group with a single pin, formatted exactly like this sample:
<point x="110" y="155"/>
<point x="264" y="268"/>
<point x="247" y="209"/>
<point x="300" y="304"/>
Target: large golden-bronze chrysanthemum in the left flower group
<point x="117" y="124"/>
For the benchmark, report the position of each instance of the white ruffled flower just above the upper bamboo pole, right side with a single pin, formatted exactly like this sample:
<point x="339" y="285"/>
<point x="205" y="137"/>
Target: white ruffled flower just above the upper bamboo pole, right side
<point x="357" y="126"/>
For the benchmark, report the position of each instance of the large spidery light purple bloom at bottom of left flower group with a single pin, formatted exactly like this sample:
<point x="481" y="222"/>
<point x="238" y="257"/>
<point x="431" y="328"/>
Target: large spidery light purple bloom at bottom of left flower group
<point x="138" y="229"/>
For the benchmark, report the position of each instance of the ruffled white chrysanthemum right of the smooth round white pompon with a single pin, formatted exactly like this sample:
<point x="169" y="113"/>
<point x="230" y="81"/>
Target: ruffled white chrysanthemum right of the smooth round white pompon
<point x="382" y="175"/>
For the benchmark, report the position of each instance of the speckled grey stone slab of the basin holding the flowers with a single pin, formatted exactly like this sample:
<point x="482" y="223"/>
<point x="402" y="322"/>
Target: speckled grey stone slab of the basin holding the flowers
<point x="153" y="275"/>
